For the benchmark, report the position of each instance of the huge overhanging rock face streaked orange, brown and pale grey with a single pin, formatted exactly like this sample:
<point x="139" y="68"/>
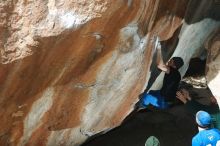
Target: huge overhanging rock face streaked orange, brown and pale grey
<point x="70" y="69"/>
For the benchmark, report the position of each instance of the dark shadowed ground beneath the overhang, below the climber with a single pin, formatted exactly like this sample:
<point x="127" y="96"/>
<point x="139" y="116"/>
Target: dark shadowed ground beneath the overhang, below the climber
<point x="174" y="127"/>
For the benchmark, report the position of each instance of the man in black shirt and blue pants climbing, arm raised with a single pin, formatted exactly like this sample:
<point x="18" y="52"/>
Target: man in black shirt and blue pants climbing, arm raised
<point x="164" y="97"/>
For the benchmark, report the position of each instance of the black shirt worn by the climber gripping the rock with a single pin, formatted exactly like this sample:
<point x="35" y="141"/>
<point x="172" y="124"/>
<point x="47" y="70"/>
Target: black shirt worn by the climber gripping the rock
<point x="170" y="84"/>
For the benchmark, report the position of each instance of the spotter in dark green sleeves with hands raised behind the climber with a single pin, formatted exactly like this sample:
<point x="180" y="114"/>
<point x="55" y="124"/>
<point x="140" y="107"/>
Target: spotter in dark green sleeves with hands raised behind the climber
<point x="193" y="106"/>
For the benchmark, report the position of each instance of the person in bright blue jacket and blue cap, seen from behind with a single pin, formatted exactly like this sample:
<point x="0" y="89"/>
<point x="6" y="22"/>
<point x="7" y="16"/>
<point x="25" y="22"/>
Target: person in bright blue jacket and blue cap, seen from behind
<point x="206" y="136"/>
